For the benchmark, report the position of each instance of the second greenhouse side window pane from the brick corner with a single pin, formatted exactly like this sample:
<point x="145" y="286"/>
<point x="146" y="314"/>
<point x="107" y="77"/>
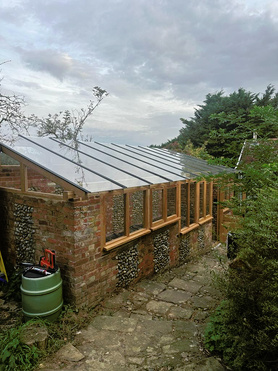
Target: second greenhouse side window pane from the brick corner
<point x="136" y="211"/>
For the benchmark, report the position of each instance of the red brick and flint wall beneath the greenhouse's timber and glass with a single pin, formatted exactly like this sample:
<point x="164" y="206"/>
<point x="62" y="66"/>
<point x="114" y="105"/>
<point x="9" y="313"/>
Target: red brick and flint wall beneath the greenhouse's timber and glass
<point x="73" y="230"/>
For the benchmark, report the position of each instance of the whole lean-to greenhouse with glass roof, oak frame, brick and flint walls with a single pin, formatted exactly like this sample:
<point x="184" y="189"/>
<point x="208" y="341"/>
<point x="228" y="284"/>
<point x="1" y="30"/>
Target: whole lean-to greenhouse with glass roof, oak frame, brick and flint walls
<point x="113" y="213"/>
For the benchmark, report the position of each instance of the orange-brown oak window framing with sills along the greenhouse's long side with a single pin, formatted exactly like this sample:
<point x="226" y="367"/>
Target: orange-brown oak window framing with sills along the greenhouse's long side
<point x="150" y="225"/>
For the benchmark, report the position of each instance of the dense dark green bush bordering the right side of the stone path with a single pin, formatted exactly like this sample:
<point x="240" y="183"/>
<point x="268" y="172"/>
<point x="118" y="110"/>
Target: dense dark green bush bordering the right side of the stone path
<point x="244" y="329"/>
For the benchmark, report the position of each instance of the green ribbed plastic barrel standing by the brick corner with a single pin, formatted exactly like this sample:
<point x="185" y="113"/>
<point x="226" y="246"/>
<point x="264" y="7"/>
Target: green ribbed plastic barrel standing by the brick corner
<point x="42" y="296"/>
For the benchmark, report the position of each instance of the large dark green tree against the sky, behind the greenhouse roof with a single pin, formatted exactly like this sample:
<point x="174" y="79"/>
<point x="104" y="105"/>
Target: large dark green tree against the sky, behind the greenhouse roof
<point x="224" y="122"/>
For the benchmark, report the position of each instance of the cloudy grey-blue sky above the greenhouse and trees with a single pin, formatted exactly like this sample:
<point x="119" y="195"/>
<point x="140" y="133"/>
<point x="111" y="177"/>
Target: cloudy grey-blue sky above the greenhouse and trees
<point x="156" y="58"/>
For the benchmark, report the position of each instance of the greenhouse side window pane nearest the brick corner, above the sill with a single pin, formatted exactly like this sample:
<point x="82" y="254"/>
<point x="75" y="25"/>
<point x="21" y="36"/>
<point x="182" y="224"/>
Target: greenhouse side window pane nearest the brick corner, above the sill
<point x="114" y="216"/>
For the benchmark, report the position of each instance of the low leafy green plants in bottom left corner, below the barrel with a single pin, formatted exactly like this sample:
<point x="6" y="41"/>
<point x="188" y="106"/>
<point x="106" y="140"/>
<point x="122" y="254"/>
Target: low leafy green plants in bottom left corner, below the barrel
<point x="14" y="355"/>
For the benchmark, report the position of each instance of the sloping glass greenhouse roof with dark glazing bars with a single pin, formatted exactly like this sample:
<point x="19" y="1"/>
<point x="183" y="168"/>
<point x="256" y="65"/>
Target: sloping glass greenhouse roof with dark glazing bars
<point x="96" y="167"/>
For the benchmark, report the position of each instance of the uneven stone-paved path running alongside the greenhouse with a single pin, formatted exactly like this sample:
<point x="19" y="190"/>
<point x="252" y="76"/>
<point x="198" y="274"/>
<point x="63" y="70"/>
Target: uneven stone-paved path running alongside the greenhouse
<point x="157" y="324"/>
